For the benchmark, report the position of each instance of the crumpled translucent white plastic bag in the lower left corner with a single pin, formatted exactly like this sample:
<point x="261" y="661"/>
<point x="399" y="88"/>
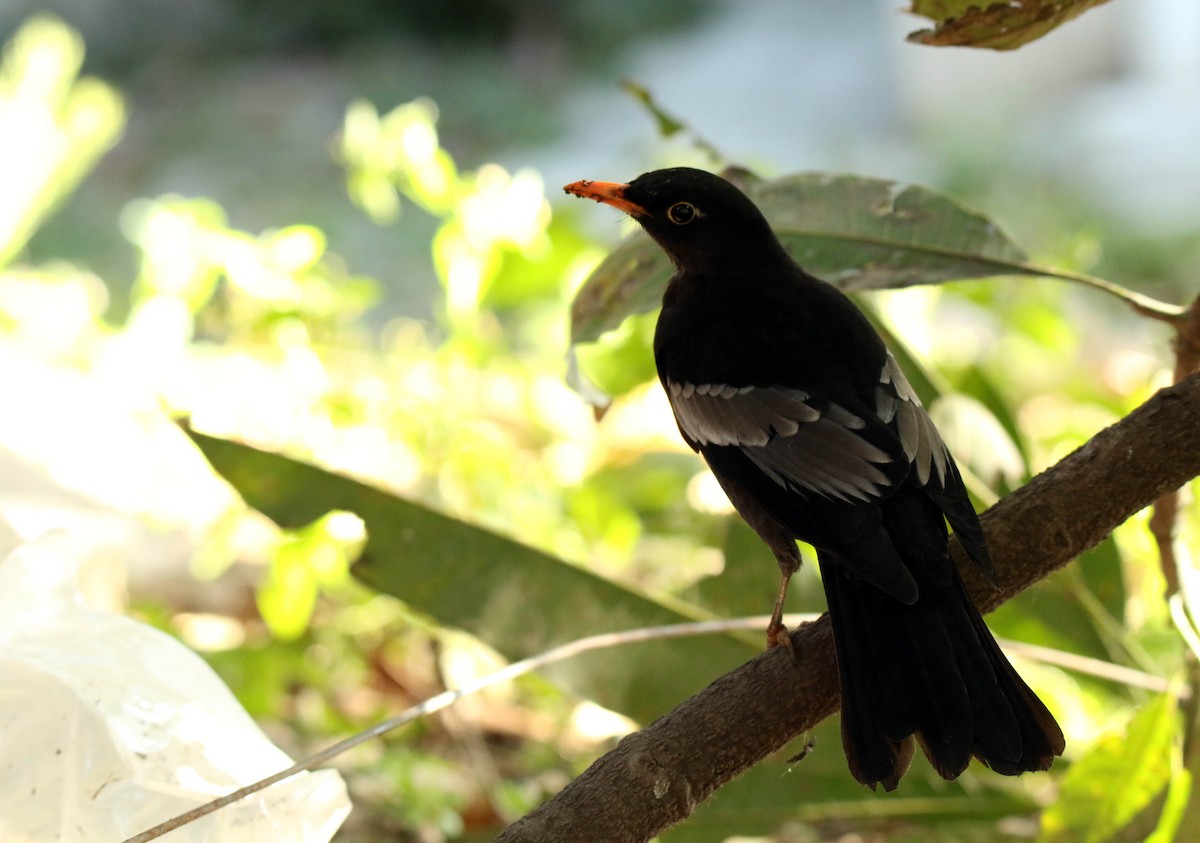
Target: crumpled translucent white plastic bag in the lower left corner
<point x="110" y="727"/>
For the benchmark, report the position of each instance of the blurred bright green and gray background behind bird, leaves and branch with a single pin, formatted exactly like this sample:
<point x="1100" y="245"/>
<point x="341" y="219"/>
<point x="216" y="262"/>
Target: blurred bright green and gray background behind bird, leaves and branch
<point x="334" y="230"/>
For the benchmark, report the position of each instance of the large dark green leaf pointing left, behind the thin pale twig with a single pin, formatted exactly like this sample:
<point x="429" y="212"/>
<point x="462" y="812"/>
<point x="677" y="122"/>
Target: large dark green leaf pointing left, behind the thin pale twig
<point x="518" y="600"/>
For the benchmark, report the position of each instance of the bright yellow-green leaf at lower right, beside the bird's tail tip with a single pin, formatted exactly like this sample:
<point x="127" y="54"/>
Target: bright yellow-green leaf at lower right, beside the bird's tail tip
<point x="1123" y="775"/>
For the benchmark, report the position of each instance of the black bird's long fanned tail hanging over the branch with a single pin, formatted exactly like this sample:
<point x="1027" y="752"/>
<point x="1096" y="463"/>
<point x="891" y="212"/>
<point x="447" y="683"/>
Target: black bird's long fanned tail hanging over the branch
<point x="931" y="671"/>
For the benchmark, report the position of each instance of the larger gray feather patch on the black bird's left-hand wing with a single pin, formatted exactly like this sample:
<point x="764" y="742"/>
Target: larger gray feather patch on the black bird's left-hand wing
<point x="791" y="441"/>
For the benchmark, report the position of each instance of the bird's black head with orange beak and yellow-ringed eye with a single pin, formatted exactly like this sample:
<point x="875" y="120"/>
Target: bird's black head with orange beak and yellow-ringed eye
<point x="703" y="222"/>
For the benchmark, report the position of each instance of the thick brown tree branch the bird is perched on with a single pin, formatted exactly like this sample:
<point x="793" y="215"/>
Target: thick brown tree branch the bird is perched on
<point x="657" y="778"/>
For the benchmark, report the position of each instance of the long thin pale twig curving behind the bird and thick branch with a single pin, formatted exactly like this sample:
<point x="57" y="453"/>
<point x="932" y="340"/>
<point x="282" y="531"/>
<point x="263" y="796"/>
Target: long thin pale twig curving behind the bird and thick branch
<point x="440" y="702"/>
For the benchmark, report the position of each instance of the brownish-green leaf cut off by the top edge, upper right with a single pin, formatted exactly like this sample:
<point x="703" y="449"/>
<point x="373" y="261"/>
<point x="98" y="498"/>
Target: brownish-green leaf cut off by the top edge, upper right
<point x="994" y="26"/>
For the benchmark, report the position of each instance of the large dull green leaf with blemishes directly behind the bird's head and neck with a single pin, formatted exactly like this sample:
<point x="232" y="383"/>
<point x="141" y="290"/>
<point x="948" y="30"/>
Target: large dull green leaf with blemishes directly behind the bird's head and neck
<point x="856" y="232"/>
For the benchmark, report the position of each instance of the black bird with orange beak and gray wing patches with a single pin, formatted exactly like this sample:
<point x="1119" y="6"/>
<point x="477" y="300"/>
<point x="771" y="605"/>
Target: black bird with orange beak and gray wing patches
<point x="813" y="431"/>
